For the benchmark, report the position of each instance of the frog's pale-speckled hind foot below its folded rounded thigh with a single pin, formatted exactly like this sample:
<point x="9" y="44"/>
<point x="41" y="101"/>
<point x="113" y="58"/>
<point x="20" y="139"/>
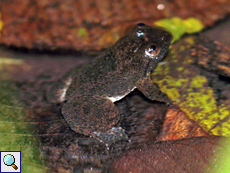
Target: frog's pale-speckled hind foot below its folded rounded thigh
<point x="111" y="136"/>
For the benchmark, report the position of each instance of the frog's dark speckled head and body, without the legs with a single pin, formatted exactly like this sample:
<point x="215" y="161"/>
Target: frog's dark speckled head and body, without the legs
<point x="117" y="70"/>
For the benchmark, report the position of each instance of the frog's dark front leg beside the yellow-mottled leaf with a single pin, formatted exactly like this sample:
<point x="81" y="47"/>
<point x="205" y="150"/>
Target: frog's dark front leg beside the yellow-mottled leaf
<point x="151" y="90"/>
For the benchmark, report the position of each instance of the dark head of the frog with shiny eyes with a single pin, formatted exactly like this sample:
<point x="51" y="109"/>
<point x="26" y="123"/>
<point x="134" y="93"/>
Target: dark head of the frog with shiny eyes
<point x="145" y="46"/>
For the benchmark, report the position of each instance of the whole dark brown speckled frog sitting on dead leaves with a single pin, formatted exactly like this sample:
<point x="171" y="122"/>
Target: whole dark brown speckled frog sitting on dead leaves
<point x="88" y="92"/>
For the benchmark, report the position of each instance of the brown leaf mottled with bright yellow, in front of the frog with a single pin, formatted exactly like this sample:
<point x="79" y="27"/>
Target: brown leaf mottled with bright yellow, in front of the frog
<point x="189" y="90"/>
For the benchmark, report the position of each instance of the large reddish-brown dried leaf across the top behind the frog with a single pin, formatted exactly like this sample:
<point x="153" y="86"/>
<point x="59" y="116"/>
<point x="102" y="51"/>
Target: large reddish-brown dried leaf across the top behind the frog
<point x="53" y="24"/>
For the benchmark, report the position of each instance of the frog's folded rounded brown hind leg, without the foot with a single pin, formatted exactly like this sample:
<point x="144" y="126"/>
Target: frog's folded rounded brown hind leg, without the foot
<point x="89" y="114"/>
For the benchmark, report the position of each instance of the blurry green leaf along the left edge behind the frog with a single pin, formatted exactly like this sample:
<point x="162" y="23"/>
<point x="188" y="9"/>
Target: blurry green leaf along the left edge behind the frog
<point x="17" y="131"/>
